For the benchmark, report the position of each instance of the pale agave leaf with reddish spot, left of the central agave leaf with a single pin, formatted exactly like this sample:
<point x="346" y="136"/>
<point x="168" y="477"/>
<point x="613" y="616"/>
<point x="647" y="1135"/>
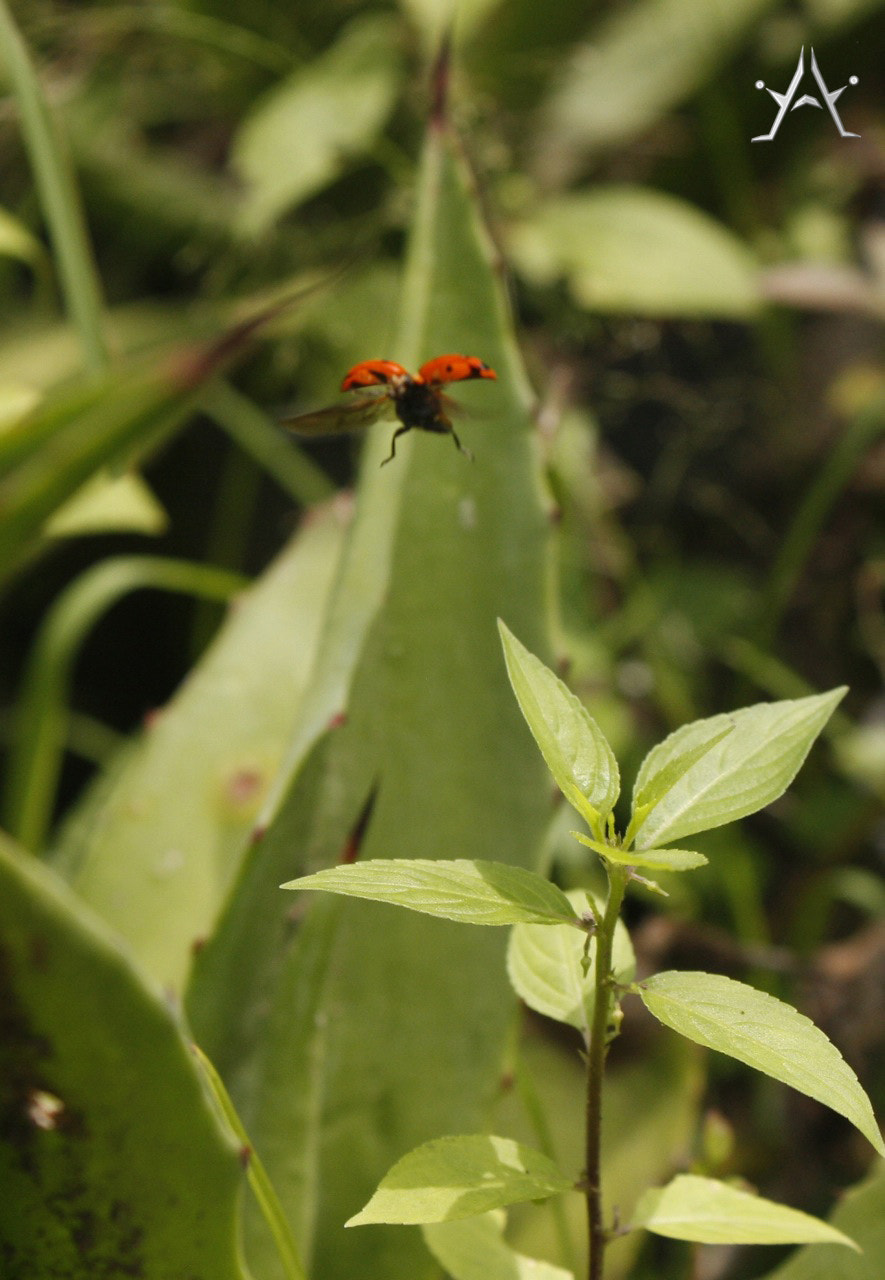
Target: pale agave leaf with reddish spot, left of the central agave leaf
<point x="167" y="839"/>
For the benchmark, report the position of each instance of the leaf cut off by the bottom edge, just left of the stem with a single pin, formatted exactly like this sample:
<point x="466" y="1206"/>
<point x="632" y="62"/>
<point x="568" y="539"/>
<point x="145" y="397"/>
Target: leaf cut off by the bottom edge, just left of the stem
<point x="475" y="1249"/>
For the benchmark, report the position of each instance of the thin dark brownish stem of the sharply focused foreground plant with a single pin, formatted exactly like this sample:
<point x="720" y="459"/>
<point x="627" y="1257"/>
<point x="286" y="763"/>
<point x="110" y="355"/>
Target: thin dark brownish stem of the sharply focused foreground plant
<point x="596" y="1066"/>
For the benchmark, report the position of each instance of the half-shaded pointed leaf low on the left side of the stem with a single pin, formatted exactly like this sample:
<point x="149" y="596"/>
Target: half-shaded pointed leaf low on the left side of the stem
<point x="451" y="1178"/>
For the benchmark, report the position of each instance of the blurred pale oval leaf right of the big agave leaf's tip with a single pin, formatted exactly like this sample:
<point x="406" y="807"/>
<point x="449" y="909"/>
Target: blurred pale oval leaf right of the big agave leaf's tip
<point x="636" y="250"/>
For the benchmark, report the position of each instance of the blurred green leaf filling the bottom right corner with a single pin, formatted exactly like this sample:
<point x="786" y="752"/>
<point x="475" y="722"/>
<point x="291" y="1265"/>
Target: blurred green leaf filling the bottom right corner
<point x="861" y="1215"/>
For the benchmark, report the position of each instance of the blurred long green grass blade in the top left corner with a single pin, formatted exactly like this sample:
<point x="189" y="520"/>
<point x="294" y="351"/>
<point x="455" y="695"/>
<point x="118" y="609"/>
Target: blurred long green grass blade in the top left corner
<point x="58" y="194"/>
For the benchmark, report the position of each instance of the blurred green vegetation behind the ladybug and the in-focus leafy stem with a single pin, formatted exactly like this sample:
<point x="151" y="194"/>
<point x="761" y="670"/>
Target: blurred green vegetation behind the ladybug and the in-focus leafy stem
<point x="681" y="502"/>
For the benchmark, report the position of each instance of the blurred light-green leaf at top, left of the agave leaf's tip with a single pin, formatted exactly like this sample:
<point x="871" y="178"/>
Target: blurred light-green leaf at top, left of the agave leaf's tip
<point x="308" y="130"/>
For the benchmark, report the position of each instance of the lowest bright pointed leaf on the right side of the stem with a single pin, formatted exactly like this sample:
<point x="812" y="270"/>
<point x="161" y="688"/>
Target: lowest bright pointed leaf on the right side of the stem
<point x="713" y="1213"/>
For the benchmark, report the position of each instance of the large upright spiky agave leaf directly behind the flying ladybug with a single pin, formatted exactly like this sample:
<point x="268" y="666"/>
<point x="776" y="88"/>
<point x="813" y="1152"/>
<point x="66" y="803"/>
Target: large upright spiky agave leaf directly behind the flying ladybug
<point x="410" y="1031"/>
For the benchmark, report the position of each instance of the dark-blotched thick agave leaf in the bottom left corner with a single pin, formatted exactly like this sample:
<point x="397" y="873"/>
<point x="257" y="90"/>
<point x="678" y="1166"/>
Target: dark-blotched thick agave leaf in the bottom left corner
<point x="111" y="1159"/>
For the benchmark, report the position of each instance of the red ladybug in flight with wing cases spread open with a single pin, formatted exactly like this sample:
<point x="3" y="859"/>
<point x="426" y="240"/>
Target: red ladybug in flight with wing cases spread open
<point x="386" y="390"/>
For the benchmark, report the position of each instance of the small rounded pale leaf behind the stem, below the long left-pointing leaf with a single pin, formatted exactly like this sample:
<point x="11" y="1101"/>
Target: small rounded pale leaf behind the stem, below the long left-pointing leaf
<point x="546" y="968"/>
